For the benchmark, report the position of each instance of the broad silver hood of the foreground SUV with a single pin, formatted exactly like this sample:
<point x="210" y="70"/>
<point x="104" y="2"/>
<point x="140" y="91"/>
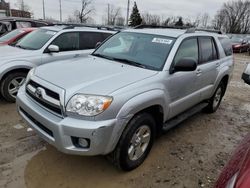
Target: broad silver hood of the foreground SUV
<point x="91" y="75"/>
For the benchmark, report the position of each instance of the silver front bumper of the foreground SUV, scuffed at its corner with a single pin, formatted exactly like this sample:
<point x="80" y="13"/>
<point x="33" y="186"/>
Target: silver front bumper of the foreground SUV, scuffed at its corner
<point x="59" y="132"/>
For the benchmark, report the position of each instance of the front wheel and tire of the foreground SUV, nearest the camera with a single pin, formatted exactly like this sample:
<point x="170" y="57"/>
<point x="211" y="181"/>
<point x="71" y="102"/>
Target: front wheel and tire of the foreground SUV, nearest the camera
<point x="142" y="124"/>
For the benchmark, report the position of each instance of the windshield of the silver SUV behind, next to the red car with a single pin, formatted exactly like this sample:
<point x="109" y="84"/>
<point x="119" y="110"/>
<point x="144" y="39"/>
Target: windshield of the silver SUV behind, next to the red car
<point x="36" y="40"/>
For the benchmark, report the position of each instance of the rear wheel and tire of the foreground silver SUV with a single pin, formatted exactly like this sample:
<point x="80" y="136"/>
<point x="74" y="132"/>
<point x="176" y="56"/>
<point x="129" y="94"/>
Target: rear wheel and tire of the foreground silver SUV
<point x="215" y="101"/>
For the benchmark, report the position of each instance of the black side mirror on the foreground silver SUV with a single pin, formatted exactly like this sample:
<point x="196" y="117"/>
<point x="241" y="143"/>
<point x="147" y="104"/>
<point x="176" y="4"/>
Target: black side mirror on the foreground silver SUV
<point x="185" y="65"/>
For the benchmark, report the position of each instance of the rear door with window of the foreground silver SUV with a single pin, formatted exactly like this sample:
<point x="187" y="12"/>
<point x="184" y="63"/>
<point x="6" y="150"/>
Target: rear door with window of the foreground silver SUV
<point x="208" y="68"/>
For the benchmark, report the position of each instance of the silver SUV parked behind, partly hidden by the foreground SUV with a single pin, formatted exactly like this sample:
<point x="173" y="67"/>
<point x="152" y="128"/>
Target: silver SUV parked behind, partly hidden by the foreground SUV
<point x="42" y="46"/>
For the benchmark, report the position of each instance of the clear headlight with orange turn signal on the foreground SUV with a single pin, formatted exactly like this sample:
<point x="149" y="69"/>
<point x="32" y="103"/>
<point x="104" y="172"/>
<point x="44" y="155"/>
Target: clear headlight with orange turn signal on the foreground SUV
<point x="88" y="105"/>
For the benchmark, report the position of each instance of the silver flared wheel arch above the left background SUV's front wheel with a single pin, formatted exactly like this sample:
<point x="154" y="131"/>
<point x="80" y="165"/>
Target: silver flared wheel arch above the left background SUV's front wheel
<point x="7" y="67"/>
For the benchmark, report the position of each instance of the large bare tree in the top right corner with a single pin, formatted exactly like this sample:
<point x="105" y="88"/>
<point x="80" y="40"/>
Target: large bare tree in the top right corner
<point x="233" y="17"/>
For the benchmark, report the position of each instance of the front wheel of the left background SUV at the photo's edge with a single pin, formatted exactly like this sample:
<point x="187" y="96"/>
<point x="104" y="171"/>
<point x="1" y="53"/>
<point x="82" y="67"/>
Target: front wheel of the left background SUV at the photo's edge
<point x="10" y="85"/>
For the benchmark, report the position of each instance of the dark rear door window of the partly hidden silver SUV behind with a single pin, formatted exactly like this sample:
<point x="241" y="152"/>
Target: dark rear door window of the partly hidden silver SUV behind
<point x="88" y="40"/>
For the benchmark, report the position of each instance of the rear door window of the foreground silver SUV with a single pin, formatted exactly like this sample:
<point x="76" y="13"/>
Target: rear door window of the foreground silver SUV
<point x="207" y="49"/>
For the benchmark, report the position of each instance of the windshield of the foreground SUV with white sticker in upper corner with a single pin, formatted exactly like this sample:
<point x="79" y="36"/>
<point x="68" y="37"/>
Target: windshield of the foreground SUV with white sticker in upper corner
<point x="144" y="50"/>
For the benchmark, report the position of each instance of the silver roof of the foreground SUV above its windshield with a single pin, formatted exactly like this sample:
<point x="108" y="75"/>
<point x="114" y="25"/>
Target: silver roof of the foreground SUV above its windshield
<point x="175" y="33"/>
